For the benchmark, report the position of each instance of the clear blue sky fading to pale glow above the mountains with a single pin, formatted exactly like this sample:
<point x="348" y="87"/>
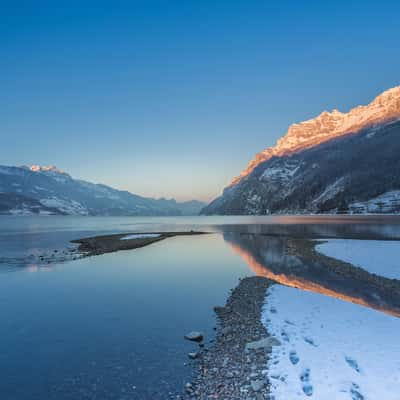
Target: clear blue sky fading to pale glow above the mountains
<point x="173" y="98"/>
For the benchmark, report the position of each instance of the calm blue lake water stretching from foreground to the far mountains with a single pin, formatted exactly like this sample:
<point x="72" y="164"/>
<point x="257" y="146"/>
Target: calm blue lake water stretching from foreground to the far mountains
<point x="112" y="326"/>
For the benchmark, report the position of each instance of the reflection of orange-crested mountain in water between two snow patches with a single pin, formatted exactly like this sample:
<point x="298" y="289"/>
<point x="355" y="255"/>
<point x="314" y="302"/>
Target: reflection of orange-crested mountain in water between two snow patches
<point x="267" y="257"/>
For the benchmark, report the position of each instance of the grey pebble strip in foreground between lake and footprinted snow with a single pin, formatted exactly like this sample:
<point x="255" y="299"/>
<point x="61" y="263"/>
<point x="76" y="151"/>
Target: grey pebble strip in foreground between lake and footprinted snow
<point x="235" y="365"/>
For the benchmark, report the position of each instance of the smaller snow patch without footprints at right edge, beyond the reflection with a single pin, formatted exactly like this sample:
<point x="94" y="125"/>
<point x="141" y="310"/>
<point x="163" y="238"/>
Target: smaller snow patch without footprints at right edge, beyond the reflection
<point x="376" y="256"/>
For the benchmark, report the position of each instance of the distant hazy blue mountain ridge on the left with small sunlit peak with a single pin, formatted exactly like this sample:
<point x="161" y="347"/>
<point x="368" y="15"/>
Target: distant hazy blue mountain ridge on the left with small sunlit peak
<point x="48" y="190"/>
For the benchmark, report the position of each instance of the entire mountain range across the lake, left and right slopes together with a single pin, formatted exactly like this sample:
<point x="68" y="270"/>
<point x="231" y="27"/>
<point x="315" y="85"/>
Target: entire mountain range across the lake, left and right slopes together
<point x="334" y="163"/>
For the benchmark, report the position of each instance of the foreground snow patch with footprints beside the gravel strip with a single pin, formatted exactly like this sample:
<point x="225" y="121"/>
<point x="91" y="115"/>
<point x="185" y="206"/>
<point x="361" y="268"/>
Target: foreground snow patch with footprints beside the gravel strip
<point x="330" y="349"/>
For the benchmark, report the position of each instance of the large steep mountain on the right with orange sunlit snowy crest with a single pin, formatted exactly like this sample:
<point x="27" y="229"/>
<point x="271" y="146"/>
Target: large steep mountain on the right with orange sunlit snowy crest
<point x="336" y="162"/>
